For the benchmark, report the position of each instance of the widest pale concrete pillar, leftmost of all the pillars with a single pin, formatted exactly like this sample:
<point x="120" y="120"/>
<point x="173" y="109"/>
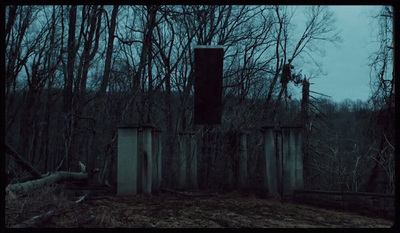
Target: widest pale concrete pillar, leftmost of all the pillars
<point x="127" y="160"/>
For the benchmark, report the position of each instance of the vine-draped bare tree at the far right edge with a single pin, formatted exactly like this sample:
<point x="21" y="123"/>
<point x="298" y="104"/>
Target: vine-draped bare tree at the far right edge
<point x="383" y="87"/>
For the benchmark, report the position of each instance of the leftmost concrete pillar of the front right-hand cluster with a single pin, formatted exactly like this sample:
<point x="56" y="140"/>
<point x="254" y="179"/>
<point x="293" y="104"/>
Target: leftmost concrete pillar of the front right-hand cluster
<point x="270" y="176"/>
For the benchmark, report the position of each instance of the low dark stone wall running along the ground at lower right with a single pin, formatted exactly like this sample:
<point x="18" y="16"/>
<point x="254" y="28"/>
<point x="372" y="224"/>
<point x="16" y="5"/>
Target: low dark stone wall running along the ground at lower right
<point x="368" y="204"/>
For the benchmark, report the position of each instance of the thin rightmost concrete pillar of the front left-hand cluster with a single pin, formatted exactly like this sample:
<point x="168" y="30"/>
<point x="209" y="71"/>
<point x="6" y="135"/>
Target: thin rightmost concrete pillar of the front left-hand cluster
<point x="157" y="160"/>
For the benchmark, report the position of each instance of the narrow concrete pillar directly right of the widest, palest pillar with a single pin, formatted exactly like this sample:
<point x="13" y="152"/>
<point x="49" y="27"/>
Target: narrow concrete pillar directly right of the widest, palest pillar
<point x="147" y="172"/>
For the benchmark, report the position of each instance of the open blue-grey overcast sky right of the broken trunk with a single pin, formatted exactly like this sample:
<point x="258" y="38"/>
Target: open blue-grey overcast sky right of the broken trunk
<point x="347" y="66"/>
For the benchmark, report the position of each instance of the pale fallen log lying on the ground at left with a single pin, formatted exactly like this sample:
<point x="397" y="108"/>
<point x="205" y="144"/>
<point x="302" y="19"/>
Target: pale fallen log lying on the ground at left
<point x="27" y="187"/>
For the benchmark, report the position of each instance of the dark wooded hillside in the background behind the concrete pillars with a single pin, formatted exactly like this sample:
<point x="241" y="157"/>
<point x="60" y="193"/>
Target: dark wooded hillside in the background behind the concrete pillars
<point x="343" y="143"/>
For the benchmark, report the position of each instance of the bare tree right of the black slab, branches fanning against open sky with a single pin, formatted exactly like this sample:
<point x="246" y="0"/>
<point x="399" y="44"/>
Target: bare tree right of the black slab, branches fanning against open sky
<point x="319" y="27"/>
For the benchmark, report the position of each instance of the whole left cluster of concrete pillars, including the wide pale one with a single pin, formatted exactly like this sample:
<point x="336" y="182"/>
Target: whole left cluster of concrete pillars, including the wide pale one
<point x="139" y="159"/>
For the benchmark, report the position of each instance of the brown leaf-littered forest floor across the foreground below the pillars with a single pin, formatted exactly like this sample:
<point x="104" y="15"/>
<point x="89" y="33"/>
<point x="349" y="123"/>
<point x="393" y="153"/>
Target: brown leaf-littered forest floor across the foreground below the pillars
<point x="171" y="210"/>
